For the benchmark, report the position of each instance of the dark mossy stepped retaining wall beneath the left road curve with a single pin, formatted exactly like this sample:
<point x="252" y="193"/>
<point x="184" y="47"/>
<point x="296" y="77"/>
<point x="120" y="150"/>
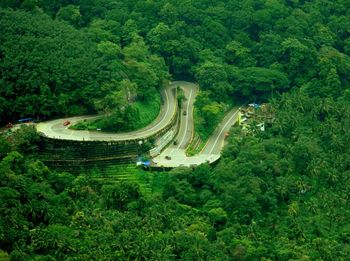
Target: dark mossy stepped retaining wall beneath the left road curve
<point x="61" y="153"/>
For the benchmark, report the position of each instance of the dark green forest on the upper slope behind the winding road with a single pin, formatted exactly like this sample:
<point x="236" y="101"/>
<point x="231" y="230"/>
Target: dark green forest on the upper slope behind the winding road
<point x="248" y="50"/>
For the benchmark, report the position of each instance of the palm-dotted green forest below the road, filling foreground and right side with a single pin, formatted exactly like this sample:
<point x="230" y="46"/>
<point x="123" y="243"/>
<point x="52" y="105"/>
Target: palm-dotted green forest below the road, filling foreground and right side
<point x="282" y="194"/>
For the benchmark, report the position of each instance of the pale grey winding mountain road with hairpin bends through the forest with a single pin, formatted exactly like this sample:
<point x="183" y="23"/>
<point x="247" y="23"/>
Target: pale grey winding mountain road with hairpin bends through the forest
<point x="210" y="153"/>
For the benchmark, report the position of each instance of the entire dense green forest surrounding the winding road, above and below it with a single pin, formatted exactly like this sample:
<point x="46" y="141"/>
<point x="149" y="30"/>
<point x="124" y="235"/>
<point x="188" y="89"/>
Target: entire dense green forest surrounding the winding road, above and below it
<point x="281" y="194"/>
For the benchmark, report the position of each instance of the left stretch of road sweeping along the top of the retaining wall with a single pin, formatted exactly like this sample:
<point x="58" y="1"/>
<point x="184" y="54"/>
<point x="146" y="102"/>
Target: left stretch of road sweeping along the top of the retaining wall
<point x="55" y="129"/>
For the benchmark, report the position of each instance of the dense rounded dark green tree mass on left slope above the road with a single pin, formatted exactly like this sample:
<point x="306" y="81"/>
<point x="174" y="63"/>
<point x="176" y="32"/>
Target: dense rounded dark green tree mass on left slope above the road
<point x="50" y="68"/>
